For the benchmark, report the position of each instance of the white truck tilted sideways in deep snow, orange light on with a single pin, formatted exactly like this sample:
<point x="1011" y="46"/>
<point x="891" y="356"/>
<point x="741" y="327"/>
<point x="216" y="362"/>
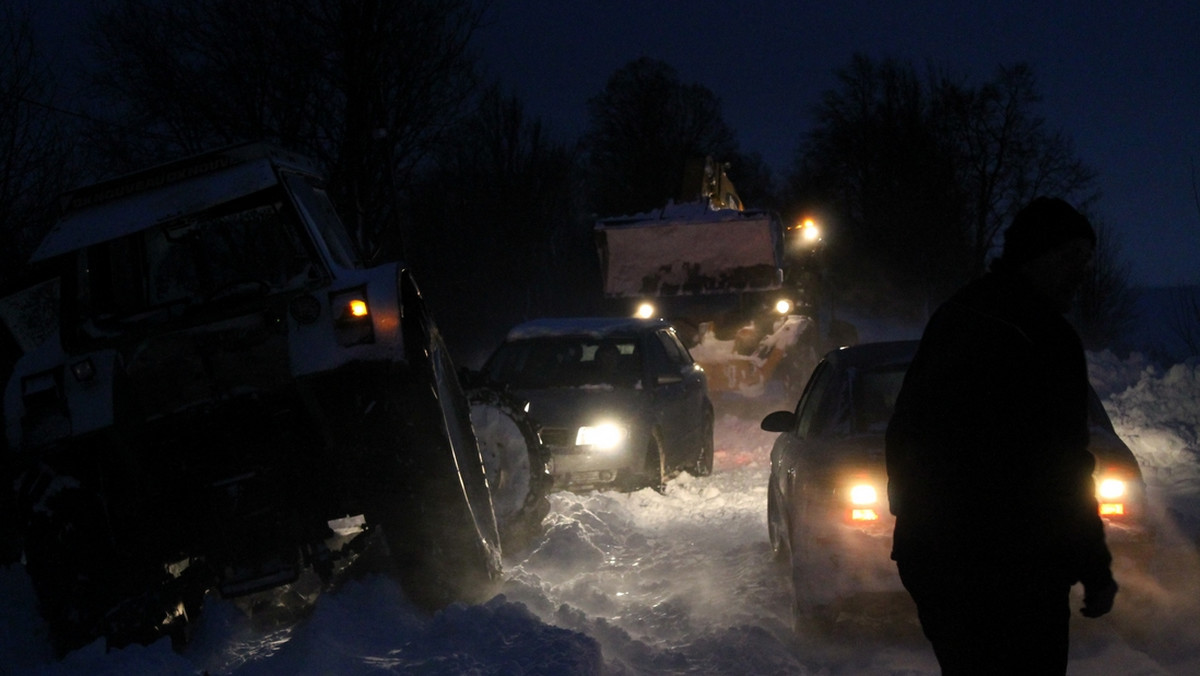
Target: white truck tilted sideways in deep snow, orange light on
<point x="232" y="399"/>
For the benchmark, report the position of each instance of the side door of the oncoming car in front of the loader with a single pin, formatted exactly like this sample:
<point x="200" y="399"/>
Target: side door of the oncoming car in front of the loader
<point x="679" y="393"/>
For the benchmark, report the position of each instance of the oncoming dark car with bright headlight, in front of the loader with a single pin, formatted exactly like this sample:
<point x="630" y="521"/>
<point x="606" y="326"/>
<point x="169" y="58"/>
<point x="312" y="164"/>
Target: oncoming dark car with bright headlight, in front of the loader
<point x="620" y="402"/>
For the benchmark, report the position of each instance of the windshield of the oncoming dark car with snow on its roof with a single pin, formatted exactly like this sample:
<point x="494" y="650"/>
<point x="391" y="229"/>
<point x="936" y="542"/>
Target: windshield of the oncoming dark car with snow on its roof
<point x="566" y="362"/>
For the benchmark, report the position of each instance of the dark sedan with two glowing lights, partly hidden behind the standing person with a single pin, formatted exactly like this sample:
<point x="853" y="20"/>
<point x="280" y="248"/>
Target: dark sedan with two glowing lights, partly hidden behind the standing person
<point x="827" y="499"/>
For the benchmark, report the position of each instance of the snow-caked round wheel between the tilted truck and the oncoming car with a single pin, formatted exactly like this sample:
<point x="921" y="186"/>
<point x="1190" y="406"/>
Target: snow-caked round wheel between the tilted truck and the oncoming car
<point x="515" y="462"/>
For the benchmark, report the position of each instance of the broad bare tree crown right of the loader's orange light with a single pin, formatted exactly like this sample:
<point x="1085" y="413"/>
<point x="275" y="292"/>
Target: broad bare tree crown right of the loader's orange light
<point x="921" y="176"/>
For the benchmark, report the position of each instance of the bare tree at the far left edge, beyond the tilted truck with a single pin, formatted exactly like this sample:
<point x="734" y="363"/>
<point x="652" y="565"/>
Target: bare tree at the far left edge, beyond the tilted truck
<point x="35" y="154"/>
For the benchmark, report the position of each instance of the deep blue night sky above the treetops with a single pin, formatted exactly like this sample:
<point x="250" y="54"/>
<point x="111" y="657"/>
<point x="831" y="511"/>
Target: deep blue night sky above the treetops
<point x="1123" y="80"/>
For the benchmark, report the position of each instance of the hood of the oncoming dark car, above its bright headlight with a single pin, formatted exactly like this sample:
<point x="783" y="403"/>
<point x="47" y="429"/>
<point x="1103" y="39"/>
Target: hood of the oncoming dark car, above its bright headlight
<point x="563" y="408"/>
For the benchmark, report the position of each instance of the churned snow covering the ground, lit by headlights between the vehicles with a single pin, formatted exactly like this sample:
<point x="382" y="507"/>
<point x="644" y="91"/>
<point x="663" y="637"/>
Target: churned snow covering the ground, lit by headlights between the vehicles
<point x="679" y="584"/>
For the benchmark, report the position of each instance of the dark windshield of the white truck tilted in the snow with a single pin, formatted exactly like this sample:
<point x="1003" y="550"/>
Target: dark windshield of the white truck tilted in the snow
<point x="253" y="247"/>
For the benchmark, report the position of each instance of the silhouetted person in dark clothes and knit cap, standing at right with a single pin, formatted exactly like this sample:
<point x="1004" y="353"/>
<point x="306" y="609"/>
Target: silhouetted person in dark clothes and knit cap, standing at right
<point x="989" y="475"/>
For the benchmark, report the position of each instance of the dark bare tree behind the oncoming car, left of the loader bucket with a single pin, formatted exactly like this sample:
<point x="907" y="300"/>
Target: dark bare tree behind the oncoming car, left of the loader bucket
<point x="505" y="202"/>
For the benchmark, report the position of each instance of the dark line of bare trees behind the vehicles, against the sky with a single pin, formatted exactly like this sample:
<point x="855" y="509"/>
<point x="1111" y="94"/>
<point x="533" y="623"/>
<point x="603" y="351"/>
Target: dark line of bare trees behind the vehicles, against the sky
<point x="914" y="175"/>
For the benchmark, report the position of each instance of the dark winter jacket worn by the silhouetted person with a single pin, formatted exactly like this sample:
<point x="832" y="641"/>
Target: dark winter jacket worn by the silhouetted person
<point x="987" y="452"/>
